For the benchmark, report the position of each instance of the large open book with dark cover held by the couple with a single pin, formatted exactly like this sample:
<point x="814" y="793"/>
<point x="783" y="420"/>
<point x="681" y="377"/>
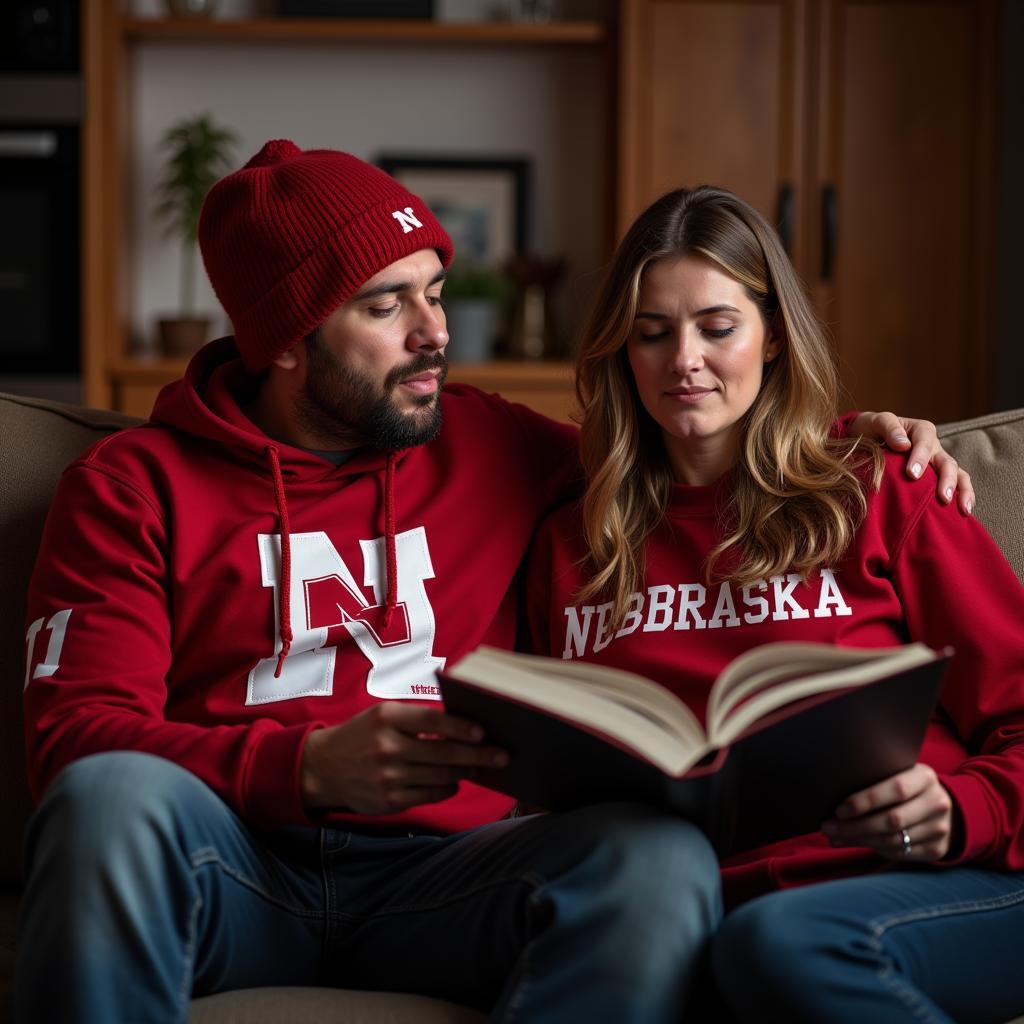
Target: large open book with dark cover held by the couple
<point x="792" y="731"/>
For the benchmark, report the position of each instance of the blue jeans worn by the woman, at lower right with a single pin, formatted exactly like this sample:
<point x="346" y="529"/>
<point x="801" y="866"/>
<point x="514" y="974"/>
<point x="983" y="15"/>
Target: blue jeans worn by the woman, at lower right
<point x="922" y="946"/>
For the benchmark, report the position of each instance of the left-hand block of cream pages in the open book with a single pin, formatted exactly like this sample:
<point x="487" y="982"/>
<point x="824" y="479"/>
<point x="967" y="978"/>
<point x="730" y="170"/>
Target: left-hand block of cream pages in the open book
<point x="632" y="710"/>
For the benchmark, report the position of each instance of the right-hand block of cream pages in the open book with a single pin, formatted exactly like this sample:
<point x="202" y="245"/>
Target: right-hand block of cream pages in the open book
<point x="773" y="676"/>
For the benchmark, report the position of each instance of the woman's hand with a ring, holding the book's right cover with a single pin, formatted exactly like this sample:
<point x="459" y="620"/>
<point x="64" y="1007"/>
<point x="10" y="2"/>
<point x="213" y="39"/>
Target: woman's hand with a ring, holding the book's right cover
<point x="909" y="817"/>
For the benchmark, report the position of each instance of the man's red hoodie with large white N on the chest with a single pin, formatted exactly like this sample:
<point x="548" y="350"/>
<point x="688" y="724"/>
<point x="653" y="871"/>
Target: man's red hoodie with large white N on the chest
<point x="156" y="621"/>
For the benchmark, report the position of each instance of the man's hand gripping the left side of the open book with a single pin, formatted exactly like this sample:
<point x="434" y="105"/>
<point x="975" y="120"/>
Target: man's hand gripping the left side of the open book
<point x="392" y="757"/>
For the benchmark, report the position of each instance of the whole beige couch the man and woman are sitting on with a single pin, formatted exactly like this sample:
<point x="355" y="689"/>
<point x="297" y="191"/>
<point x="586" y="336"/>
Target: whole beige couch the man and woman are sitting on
<point x="38" y="439"/>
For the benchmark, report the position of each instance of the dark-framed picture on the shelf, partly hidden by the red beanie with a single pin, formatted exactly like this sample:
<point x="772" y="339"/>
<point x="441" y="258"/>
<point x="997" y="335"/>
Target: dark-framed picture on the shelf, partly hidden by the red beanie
<point x="482" y="203"/>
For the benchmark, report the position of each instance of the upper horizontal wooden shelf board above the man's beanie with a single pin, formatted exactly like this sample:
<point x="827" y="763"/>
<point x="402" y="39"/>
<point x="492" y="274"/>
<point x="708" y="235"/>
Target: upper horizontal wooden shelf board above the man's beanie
<point x="326" y="30"/>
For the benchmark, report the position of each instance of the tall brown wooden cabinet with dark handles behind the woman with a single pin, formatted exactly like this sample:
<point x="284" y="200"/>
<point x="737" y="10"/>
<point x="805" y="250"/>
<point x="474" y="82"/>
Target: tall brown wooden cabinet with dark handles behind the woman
<point x="869" y="124"/>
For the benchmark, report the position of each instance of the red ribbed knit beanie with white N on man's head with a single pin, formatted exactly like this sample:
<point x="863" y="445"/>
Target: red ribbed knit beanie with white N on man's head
<point x="294" y="234"/>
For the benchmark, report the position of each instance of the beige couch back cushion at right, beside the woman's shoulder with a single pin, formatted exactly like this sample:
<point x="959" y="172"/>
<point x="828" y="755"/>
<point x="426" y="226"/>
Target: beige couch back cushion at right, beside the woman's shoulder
<point x="992" y="449"/>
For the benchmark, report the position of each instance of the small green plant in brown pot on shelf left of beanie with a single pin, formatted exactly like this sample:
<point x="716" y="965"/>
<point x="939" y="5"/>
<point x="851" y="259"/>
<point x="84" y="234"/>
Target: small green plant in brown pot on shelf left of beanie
<point x="198" y="154"/>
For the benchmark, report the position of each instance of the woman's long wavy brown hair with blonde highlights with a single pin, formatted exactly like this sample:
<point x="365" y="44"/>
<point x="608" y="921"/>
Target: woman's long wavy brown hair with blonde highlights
<point x="798" y="495"/>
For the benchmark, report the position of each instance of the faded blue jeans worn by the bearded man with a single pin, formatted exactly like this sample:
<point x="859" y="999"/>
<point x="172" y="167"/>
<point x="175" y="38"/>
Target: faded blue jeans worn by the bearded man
<point x="145" y="888"/>
